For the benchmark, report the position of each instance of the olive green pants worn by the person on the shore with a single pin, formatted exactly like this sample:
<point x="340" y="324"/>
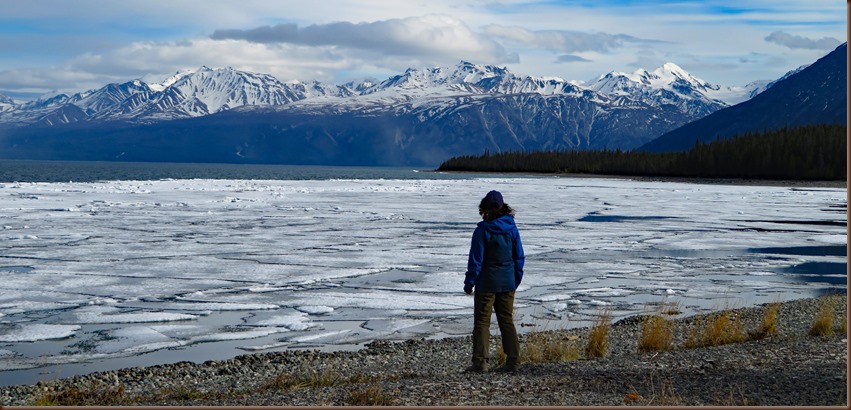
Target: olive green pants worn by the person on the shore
<point x="503" y="304"/>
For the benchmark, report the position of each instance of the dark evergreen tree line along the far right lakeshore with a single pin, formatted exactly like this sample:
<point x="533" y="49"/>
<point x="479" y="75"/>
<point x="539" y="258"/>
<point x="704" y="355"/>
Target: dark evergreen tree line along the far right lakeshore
<point x="813" y="152"/>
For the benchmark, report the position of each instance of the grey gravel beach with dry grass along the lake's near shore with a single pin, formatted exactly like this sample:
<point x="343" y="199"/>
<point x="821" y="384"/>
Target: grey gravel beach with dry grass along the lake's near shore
<point x="790" y="368"/>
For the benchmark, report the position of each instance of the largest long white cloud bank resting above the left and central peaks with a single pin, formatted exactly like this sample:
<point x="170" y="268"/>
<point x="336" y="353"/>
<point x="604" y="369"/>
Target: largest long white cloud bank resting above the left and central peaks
<point x="316" y="52"/>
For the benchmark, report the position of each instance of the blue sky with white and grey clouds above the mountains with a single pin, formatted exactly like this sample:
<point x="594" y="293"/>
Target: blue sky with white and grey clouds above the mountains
<point x="74" y="45"/>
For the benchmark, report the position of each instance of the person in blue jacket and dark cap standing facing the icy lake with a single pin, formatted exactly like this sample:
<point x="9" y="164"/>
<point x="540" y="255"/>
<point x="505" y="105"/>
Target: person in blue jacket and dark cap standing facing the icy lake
<point x="494" y="270"/>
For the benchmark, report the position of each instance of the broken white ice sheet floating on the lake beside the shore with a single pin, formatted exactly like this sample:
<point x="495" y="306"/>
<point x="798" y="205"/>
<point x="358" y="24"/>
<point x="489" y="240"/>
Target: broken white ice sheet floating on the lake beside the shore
<point x="104" y="275"/>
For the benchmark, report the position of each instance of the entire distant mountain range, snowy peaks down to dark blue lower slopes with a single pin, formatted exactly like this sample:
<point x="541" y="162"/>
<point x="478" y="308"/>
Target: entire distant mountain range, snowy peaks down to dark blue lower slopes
<point x="418" y="118"/>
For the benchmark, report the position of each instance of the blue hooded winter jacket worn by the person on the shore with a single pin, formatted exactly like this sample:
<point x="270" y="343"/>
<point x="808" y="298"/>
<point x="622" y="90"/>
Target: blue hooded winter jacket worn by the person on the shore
<point x="496" y="257"/>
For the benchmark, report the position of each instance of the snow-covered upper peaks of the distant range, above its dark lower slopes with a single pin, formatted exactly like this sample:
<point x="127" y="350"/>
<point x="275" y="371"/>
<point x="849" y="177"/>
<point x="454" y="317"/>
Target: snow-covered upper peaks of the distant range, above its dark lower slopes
<point x="205" y="91"/>
